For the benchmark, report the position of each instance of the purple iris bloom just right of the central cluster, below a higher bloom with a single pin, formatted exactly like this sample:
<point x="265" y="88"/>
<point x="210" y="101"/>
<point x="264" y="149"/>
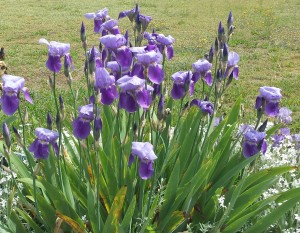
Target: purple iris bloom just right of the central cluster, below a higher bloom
<point x="182" y="81"/>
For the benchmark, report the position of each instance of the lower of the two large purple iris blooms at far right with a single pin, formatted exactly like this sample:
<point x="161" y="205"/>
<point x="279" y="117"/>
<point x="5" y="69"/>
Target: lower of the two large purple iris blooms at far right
<point x="254" y="142"/>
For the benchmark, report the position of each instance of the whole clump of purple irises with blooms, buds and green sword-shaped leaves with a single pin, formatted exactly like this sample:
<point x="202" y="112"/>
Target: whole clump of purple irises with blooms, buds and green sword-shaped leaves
<point x="136" y="157"/>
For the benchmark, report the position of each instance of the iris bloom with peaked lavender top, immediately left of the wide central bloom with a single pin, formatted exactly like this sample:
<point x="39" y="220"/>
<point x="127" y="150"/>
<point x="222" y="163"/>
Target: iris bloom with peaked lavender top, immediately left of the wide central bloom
<point x="106" y="85"/>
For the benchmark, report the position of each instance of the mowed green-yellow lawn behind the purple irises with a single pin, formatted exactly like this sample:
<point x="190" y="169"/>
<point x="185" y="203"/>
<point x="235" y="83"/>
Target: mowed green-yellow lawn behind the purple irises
<point x="266" y="37"/>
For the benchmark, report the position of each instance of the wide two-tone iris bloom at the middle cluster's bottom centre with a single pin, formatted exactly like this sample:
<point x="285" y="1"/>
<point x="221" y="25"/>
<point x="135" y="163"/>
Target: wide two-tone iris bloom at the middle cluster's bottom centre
<point x="134" y="94"/>
